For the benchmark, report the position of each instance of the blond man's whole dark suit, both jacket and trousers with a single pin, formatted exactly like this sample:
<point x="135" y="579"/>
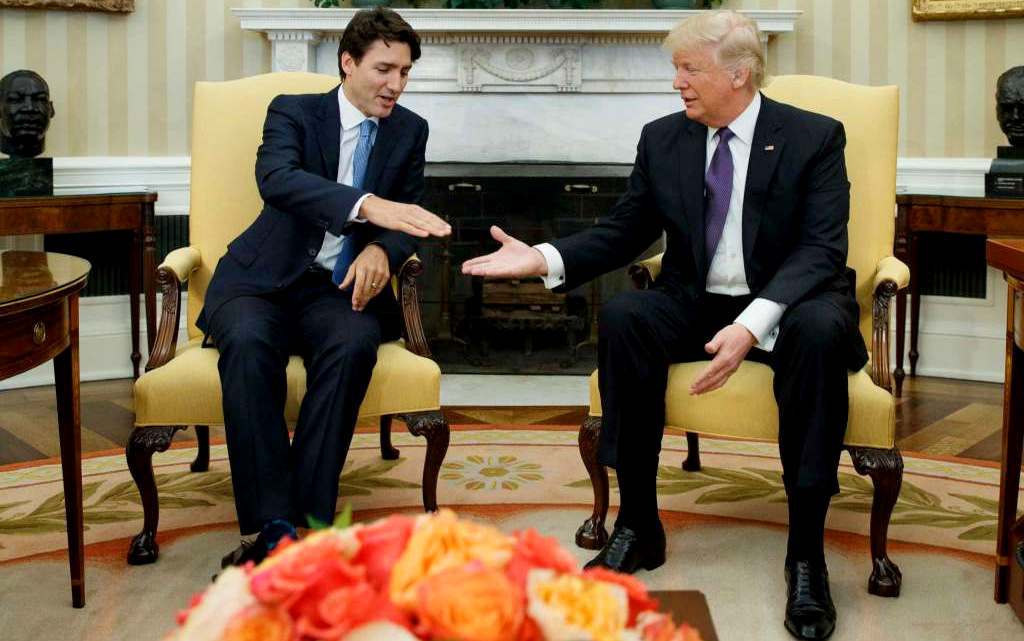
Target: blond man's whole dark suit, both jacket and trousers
<point x="796" y="208"/>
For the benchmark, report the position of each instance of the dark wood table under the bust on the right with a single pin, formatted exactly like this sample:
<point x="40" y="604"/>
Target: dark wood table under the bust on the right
<point x="953" y="215"/>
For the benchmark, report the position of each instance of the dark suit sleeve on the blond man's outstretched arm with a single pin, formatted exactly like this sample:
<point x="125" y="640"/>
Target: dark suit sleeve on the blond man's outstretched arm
<point x="631" y="228"/>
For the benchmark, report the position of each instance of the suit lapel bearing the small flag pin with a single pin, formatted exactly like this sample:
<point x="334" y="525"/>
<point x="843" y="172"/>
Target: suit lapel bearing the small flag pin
<point x="765" y="152"/>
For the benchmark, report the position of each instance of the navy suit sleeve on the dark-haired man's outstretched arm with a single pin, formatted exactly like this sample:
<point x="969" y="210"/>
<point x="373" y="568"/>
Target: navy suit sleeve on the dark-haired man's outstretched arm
<point x="286" y="185"/>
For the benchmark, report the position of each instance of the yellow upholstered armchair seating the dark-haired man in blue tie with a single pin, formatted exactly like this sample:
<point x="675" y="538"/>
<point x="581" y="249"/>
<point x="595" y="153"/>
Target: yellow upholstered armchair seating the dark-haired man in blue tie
<point x="182" y="387"/>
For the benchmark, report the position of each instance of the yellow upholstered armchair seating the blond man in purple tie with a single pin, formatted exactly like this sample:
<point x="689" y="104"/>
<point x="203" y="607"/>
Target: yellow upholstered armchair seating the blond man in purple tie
<point x="746" y="407"/>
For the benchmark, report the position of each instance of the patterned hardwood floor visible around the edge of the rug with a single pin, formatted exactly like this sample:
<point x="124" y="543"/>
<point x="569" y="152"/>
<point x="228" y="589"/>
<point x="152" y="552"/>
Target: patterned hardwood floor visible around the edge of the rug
<point x="942" y="417"/>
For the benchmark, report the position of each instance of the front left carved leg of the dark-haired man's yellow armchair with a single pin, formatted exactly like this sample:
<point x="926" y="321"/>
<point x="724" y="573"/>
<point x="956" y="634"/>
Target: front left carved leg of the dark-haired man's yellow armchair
<point x="143" y="442"/>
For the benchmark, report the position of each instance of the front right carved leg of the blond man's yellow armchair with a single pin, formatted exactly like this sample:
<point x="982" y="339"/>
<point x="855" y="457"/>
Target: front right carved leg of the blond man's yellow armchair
<point x="886" y="469"/>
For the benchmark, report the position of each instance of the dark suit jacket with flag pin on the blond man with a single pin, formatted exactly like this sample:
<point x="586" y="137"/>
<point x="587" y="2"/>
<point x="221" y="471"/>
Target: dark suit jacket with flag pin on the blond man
<point x="796" y="208"/>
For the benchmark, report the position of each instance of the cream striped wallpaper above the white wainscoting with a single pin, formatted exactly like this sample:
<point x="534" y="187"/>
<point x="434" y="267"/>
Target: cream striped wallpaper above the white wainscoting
<point x="122" y="83"/>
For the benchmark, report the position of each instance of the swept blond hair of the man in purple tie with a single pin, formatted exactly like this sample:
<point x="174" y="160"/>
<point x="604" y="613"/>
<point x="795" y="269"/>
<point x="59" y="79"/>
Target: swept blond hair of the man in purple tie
<point x="736" y="38"/>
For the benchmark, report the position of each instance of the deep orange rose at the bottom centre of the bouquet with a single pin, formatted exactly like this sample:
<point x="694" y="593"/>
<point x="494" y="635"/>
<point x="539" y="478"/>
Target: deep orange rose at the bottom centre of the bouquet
<point x="472" y="604"/>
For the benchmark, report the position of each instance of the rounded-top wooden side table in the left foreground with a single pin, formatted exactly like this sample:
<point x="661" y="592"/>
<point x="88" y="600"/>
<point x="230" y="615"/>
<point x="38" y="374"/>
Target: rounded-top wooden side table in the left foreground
<point x="39" y="322"/>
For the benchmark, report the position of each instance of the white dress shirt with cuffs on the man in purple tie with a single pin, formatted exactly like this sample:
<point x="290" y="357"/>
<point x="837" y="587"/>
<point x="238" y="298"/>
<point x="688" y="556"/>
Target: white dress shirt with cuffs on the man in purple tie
<point x="727" y="274"/>
